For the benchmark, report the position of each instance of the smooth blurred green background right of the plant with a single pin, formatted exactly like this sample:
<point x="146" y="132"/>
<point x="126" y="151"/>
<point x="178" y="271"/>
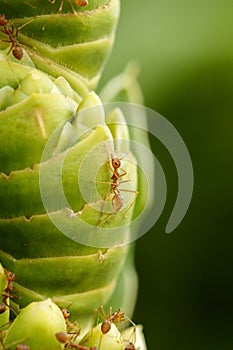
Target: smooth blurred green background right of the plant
<point x="185" y="48"/>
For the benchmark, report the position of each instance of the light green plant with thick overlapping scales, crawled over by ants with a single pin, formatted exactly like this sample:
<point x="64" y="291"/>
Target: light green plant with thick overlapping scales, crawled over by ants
<point x="51" y="124"/>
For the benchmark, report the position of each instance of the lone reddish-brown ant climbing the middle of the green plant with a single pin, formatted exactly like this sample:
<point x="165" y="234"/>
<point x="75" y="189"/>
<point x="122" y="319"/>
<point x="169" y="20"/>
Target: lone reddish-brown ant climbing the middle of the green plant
<point x="118" y="173"/>
